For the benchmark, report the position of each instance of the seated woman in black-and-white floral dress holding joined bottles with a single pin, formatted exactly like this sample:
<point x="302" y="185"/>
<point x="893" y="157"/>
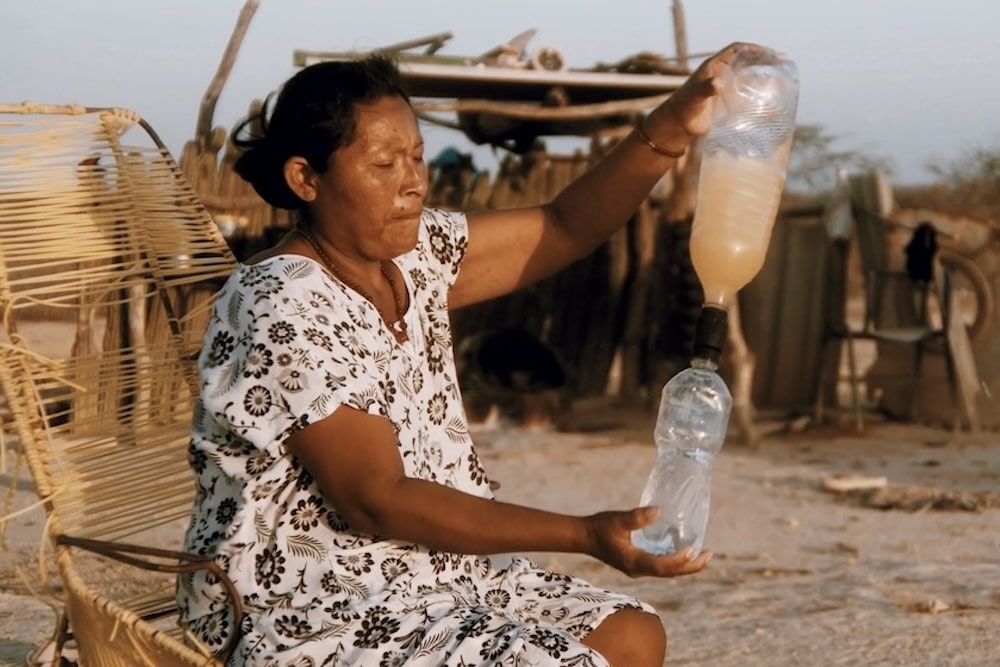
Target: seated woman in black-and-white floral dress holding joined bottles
<point x="337" y="481"/>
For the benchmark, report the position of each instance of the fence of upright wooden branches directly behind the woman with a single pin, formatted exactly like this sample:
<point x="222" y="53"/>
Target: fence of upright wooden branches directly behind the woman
<point x="603" y="316"/>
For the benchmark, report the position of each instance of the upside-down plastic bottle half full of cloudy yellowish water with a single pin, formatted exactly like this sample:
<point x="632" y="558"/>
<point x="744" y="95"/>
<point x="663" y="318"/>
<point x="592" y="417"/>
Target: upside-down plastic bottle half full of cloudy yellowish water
<point x="744" y="161"/>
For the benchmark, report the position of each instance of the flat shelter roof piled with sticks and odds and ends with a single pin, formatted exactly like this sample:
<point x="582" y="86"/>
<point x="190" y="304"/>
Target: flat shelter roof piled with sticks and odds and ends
<point x="510" y="96"/>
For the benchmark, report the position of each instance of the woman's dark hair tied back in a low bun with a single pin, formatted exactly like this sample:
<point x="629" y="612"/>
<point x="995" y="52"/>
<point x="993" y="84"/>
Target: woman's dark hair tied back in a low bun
<point x="312" y="117"/>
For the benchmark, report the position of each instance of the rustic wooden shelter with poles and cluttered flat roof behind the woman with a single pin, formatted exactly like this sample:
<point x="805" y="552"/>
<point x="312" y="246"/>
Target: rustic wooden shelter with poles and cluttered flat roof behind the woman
<point x="607" y="317"/>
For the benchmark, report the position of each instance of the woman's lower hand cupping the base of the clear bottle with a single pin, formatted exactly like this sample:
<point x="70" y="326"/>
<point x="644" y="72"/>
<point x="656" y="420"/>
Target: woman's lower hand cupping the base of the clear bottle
<point x="611" y="542"/>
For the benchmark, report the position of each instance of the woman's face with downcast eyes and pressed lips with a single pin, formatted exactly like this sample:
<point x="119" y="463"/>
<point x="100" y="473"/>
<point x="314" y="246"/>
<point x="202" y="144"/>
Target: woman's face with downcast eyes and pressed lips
<point x="369" y="200"/>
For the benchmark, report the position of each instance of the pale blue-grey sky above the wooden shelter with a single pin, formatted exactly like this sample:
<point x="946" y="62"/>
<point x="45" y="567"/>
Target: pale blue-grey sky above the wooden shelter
<point x="913" y="82"/>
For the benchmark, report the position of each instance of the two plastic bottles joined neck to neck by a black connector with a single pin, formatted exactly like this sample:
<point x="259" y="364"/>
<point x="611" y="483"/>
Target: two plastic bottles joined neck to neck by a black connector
<point x="745" y="157"/>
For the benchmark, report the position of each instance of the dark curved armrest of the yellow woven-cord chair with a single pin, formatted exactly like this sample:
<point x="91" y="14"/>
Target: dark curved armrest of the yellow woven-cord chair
<point x="185" y="562"/>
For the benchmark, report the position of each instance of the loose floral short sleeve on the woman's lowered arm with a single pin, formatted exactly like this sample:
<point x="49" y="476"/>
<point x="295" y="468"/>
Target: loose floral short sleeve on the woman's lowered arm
<point x="287" y="352"/>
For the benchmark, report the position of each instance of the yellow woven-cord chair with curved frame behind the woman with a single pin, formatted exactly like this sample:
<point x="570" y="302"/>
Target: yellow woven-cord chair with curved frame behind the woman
<point x="107" y="267"/>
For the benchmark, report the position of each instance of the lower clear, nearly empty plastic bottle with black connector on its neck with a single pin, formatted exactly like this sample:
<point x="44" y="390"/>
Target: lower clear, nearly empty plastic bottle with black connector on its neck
<point x="690" y="430"/>
